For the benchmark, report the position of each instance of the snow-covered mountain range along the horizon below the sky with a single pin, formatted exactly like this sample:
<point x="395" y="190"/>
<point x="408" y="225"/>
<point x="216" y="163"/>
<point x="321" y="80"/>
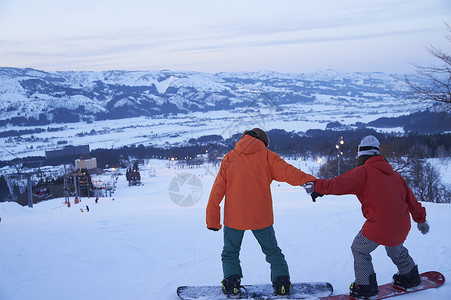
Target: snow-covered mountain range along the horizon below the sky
<point x="34" y="97"/>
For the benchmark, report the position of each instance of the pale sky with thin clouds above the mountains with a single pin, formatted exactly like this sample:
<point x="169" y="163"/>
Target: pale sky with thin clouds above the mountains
<point x="289" y="36"/>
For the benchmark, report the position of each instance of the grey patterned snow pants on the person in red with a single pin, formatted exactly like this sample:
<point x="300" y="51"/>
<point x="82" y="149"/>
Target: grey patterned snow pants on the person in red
<point x="363" y="267"/>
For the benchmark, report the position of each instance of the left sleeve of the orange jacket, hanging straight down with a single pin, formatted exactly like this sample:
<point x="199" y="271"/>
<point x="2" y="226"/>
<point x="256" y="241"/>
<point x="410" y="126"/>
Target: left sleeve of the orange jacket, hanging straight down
<point x="216" y="195"/>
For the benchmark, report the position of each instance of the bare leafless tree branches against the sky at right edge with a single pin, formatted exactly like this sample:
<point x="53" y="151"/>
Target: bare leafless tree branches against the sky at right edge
<point x="433" y="82"/>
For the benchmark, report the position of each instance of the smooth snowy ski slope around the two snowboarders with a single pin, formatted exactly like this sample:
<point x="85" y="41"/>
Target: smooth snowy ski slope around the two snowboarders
<point x="141" y="245"/>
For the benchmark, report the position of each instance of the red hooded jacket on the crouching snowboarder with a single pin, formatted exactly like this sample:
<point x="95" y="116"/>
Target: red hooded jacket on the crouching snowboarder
<point x="385" y="197"/>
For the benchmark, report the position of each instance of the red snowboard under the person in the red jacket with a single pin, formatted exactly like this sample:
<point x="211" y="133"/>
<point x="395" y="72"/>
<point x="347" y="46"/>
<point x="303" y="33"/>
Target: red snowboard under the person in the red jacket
<point x="431" y="279"/>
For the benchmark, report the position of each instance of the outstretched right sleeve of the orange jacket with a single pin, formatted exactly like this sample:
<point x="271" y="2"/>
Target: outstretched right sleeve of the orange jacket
<point x="283" y="171"/>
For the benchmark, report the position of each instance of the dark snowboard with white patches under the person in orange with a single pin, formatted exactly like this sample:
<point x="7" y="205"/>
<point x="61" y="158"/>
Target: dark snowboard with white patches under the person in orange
<point x="300" y="290"/>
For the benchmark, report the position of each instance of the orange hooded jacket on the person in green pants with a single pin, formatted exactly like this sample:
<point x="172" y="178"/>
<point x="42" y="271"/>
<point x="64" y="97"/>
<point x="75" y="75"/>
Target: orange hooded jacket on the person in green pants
<point x="244" y="179"/>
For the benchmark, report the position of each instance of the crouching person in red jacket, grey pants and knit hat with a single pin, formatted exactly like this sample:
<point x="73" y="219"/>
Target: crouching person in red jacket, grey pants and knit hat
<point x="387" y="203"/>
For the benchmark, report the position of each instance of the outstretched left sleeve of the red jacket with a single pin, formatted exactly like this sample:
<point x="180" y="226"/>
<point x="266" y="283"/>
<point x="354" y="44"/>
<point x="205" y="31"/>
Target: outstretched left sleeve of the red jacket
<point x="351" y="182"/>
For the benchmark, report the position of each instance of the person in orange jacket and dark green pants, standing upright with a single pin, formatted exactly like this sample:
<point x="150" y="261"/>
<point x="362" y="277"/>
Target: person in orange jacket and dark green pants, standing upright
<point x="244" y="179"/>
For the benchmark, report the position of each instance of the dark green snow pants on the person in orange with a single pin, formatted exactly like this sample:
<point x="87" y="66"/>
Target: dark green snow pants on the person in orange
<point x="266" y="238"/>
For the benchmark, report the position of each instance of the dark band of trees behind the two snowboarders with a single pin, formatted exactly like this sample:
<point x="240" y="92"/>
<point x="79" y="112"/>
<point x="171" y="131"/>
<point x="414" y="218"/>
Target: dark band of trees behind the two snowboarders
<point x="408" y="154"/>
